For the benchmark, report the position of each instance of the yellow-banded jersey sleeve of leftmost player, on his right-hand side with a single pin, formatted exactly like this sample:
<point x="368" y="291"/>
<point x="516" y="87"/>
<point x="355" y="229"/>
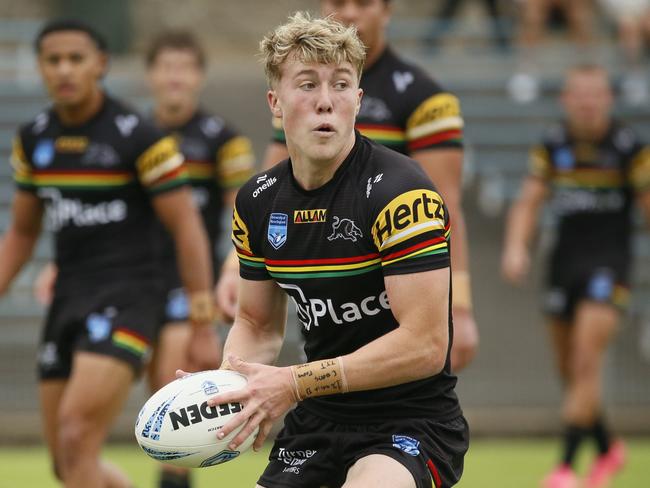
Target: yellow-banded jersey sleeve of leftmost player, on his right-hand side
<point x="159" y="164"/>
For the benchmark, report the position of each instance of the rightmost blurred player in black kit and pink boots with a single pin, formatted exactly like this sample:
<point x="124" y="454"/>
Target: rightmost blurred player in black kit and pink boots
<point x="593" y="168"/>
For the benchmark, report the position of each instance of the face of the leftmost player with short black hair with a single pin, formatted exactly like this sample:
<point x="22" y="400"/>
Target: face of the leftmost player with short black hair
<point x="71" y="67"/>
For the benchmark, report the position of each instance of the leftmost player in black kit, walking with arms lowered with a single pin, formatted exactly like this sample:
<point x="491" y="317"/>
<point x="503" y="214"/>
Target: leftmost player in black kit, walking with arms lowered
<point x="100" y="171"/>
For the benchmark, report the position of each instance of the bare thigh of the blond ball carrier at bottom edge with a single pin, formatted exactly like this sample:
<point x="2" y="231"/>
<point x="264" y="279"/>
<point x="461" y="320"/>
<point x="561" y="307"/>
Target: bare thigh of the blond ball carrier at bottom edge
<point x="378" y="471"/>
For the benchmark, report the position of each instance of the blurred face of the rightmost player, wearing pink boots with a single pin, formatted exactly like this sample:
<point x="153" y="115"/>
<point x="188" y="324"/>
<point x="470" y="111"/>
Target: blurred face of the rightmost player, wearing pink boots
<point x="587" y="97"/>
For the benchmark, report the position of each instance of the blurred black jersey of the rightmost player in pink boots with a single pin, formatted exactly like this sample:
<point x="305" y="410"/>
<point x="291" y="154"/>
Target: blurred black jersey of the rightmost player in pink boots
<point x="593" y="186"/>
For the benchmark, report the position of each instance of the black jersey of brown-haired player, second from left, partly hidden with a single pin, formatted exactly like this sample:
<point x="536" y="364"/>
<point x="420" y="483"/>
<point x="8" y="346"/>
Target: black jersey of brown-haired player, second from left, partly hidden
<point x="217" y="159"/>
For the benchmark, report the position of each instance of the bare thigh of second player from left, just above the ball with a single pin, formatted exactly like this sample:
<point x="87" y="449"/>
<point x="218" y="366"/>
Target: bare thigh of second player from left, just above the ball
<point x="170" y="354"/>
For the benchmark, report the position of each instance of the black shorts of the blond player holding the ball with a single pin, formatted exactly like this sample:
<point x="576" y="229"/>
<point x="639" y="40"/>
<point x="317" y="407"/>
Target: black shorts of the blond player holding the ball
<point x="312" y="452"/>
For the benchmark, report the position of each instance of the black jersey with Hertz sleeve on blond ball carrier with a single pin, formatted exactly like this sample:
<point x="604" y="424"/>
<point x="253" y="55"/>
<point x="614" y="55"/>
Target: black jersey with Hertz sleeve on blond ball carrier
<point x="330" y="248"/>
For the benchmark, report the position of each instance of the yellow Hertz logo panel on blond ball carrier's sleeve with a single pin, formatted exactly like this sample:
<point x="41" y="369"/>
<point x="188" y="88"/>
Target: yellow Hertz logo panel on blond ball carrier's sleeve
<point x="408" y="215"/>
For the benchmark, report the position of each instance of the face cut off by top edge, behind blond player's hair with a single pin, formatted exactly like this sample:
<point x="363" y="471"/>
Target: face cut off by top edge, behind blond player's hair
<point x="370" y="17"/>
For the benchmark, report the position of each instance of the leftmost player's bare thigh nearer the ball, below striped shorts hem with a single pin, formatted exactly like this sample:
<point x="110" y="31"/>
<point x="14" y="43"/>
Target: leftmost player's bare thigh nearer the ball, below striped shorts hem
<point x="96" y="390"/>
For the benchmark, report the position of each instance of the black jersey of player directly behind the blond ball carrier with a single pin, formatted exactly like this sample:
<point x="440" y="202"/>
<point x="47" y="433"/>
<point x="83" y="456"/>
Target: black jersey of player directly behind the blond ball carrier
<point x="403" y="108"/>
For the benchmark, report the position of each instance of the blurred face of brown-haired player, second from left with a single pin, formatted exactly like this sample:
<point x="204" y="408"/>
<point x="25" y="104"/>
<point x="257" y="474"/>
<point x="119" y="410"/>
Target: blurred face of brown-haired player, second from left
<point x="175" y="77"/>
